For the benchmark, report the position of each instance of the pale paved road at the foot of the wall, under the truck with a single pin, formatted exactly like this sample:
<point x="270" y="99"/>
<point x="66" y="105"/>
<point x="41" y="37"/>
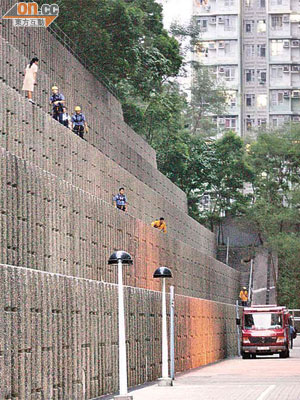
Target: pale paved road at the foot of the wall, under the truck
<point x="264" y="378"/>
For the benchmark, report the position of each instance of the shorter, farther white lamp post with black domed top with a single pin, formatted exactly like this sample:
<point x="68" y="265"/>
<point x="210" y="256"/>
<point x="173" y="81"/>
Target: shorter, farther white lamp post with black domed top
<point x="165" y="380"/>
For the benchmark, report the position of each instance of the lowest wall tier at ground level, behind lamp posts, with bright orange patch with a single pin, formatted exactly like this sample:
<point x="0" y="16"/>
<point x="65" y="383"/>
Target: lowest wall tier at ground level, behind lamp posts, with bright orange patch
<point x="59" y="337"/>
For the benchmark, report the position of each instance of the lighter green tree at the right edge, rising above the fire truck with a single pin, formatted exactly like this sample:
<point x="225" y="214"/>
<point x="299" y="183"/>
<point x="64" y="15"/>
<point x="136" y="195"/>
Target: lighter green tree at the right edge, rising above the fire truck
<point x="275" y="159"/>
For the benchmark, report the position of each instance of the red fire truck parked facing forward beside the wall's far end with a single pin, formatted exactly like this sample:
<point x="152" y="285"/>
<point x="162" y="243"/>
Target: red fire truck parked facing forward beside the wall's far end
<point x="265" y="330"/>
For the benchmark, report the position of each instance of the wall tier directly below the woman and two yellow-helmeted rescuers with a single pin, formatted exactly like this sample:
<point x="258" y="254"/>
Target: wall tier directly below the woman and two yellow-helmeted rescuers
<point x="35" y="136"/>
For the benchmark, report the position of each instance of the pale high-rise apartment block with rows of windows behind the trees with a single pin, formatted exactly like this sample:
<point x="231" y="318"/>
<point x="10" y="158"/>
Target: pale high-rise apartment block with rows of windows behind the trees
<point x="253" y="47"/>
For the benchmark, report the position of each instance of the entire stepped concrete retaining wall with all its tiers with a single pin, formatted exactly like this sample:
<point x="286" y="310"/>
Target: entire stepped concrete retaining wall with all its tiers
<point x="58" y="331"/>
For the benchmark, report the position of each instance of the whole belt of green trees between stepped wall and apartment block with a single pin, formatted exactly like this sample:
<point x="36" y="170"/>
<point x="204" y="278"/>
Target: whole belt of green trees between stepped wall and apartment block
<point x="126" y="42"/>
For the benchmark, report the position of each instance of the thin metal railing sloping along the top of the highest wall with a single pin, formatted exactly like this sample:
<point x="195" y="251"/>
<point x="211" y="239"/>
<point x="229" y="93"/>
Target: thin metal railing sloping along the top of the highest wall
<point x="73" y="48"/>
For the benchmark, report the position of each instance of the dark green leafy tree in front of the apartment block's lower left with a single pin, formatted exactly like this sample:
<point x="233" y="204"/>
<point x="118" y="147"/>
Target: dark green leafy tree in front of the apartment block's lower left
<point x="215" y="168"/>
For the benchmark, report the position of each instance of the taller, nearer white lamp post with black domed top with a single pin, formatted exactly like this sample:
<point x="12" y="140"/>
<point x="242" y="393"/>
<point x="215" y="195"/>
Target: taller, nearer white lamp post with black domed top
<point x="120" y="258"/>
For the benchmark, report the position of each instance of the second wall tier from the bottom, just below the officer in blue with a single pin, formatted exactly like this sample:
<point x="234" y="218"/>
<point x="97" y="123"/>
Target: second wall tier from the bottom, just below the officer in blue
<point x="51" y="225"/>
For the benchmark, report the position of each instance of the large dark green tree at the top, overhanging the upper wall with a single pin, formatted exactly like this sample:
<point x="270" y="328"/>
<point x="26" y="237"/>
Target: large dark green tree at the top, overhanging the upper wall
<point x="125" y="41"/>
